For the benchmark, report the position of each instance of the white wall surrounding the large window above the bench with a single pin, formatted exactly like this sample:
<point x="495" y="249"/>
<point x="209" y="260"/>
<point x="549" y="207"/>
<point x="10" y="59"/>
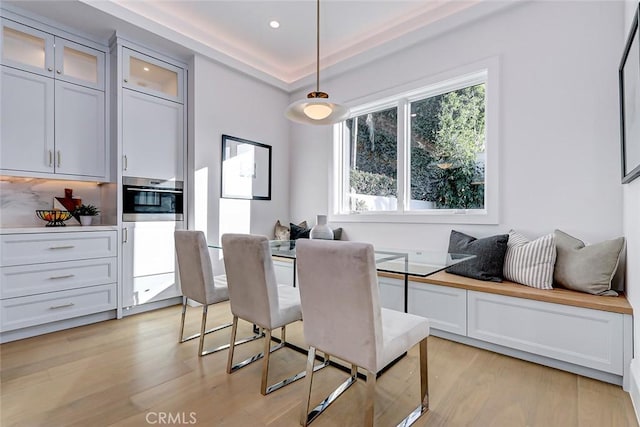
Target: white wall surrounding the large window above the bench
<point x="559" y="157"/>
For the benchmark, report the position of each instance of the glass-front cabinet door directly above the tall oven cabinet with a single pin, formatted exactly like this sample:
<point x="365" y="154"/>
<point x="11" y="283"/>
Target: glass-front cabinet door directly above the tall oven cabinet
<point x="150" y="75"/>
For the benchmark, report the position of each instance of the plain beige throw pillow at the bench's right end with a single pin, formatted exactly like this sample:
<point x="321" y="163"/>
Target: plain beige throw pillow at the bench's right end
<point x="584" y="268"/>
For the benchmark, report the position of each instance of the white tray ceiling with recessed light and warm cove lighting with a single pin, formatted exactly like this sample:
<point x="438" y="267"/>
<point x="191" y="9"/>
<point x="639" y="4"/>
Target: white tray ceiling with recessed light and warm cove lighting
<point x="237" y="32"/>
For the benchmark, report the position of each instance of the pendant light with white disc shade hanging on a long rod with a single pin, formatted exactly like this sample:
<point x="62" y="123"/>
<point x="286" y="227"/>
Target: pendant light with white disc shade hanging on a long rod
<point x="317" y="109"/>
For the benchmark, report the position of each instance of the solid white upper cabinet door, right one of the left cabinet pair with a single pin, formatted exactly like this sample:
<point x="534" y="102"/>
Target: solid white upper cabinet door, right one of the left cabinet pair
<point x="79" y="131"/>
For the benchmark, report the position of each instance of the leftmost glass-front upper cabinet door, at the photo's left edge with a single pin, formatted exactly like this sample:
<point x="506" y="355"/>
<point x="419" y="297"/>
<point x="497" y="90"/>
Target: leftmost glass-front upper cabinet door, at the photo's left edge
<point x="26" y="48"/>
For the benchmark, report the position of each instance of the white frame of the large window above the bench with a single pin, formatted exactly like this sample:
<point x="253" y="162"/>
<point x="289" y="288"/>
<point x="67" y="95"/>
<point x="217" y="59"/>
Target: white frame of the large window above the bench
<point x="487" y="72"/>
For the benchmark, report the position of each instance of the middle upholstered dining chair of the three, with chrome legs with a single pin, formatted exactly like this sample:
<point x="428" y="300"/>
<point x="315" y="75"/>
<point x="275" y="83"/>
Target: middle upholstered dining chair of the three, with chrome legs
<point x="256" y="297"/>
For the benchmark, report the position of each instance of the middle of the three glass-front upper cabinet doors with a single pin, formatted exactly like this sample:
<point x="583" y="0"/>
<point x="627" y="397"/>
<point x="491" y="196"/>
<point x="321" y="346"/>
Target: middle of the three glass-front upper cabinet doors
<point x="79" y="64"/>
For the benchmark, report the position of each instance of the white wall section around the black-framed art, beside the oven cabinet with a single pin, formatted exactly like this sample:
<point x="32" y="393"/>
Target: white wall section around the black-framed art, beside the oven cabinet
<point x="227" y="102"/>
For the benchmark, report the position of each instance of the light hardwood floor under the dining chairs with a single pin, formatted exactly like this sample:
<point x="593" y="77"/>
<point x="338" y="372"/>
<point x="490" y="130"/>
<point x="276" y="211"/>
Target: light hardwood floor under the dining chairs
<point x="133" y="372"/>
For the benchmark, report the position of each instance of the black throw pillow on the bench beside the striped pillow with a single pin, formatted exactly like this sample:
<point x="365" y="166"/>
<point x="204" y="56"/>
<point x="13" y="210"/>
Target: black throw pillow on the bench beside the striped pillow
<point x="489" y="252"/>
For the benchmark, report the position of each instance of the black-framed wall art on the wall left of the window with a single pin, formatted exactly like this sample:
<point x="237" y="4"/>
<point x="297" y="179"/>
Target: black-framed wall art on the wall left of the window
<point x="246" y="169"/>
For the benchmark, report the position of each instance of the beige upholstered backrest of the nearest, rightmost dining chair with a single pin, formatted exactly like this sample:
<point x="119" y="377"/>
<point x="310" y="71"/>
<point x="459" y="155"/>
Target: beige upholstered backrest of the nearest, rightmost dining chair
<point x="340" y="299"/>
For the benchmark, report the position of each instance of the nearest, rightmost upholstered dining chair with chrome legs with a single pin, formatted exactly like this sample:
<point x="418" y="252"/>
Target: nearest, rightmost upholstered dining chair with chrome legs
<point x="342" y="316"/>
